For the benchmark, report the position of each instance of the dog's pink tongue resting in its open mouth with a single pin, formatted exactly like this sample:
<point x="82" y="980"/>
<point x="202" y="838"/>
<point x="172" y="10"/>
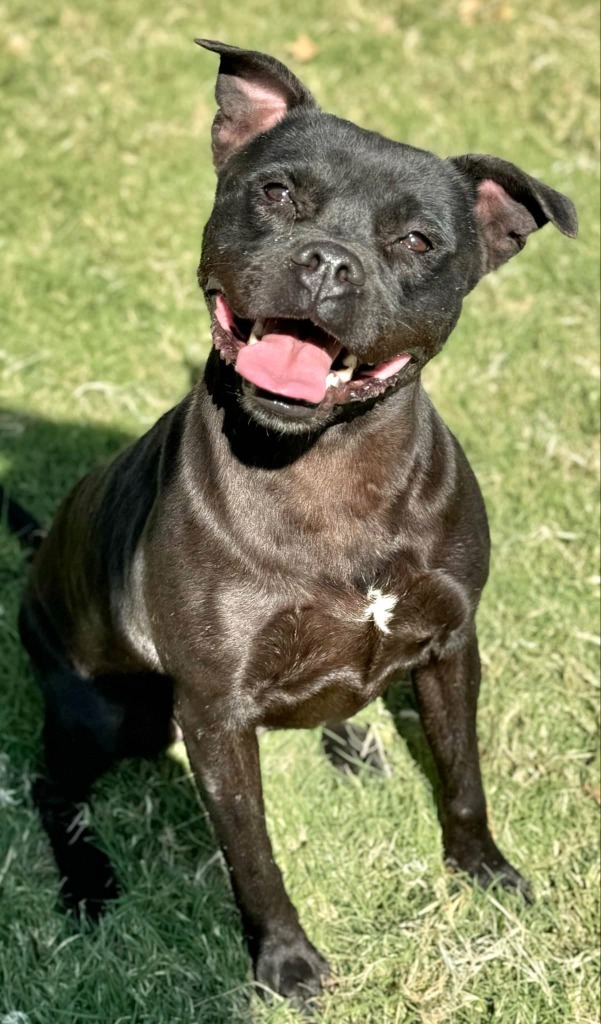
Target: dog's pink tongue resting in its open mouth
<point x="286" y="366"/>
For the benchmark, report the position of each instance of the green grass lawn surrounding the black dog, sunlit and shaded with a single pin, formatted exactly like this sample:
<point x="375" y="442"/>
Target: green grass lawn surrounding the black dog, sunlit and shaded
<point x="107" y="182"/>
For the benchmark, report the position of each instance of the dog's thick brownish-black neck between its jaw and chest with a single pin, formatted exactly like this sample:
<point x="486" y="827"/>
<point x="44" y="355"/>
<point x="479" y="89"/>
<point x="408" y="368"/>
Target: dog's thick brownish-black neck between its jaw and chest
<point x="326" y="500"/>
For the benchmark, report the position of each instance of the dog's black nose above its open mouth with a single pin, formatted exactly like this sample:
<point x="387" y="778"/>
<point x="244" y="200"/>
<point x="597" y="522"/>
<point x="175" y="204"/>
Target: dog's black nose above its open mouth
<point x="328" y="270"/>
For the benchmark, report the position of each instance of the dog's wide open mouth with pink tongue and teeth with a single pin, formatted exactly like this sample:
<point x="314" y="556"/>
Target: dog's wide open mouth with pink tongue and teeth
<point x="296" y="361"/>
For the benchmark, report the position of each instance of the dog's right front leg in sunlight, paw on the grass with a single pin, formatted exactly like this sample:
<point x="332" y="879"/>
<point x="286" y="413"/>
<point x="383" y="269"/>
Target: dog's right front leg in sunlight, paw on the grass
<point x="447" y="691"/>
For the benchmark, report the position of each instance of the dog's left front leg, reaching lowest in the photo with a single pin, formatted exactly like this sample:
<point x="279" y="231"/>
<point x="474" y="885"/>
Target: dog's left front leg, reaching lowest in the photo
<point x="227" y="767"/>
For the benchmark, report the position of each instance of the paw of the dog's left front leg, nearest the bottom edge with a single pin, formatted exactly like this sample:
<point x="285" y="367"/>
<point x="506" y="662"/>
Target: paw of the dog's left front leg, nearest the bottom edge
<point x="293" y="969"/>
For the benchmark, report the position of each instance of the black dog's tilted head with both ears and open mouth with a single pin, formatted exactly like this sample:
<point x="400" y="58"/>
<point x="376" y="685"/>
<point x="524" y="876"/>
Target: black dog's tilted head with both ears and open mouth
<point x="335" y="262"/>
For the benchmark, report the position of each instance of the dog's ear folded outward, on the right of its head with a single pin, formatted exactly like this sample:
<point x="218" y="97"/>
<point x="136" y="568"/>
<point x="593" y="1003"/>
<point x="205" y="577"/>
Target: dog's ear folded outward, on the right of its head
<point x="510" y="205"/>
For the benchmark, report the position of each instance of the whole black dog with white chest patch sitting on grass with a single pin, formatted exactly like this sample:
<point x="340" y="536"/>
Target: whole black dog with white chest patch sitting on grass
<point x="303" y="528"/>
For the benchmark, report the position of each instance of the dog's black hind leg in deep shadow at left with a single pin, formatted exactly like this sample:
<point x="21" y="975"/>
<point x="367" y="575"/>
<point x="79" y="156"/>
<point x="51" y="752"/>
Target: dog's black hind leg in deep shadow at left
<point x="91" y="724"/>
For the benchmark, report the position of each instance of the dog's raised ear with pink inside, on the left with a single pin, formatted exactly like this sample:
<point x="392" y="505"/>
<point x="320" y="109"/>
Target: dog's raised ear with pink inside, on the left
<point x="254" y="93"/>
